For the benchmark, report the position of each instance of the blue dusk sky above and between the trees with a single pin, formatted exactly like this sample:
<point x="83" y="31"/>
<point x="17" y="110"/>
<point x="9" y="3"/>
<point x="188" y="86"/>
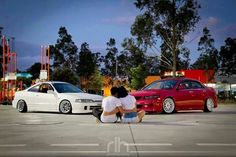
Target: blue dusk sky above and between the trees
<point x="36" y="22"/>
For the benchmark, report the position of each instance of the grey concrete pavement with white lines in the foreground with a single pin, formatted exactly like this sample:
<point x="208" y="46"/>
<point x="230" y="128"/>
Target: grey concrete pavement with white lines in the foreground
<point x="190" y="133"/>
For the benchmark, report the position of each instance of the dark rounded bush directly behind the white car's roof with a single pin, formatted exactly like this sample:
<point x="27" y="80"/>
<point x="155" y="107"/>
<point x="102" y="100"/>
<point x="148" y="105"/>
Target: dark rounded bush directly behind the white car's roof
<point x="65" y="75"/>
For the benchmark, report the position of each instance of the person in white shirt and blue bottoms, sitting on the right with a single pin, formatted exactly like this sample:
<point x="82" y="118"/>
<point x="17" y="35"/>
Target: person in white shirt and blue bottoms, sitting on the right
<point x="129" y="103"/>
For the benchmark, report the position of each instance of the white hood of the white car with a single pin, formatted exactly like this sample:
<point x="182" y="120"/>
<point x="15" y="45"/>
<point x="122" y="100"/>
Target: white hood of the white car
<point x="82" y="96"/>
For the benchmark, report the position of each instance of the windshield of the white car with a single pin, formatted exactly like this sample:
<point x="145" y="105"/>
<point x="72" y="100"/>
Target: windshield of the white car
<point x="66" y="88"/>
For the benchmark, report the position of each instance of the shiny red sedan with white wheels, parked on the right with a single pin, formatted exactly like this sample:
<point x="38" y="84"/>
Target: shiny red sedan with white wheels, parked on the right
<point x="171" y="95"/>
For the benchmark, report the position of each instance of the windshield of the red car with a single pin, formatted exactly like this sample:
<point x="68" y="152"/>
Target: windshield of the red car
<point x="163" y="84"/>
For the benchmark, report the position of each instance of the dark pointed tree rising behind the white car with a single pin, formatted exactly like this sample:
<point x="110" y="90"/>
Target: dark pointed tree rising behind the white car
<point x="64" y="53"/>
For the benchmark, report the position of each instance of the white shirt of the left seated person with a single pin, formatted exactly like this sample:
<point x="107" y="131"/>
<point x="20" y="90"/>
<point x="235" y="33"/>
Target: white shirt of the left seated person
<point x="109" y="104"/>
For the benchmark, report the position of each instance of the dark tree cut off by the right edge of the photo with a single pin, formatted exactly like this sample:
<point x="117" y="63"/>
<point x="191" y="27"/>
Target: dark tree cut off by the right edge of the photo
<point x="228" y="57"/>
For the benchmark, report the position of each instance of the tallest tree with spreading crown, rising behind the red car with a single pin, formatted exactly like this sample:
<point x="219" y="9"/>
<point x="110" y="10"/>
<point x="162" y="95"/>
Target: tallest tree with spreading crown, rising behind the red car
<point x="169" y="20"/>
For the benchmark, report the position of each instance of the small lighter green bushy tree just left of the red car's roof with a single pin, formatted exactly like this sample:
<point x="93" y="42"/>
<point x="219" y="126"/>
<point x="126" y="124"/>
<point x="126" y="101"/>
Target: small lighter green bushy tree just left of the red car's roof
<point x="138" y="75"/>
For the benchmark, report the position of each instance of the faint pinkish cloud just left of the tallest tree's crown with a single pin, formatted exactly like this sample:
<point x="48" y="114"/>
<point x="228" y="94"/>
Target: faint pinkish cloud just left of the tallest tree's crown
<point x="127" y="20"/>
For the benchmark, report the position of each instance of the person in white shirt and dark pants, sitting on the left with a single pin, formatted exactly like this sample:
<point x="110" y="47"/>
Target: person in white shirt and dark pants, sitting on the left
<point x="111" y="107"/>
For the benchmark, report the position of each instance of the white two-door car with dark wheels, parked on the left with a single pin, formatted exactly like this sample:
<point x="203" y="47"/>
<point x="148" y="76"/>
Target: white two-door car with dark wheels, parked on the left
<point x="54" y="97"/>
